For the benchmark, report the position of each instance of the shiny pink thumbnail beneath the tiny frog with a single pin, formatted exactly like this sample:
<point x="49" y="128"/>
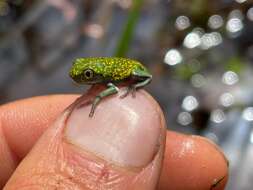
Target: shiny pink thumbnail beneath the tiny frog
<point x="125" y="131"/>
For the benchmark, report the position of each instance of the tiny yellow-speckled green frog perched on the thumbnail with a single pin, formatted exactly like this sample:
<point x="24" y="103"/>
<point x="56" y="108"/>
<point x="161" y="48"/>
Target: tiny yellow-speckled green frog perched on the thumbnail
<point x="109" y="71"/>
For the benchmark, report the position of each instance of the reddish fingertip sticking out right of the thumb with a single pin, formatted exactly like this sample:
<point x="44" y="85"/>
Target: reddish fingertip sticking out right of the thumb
<point x="192" y="162"/>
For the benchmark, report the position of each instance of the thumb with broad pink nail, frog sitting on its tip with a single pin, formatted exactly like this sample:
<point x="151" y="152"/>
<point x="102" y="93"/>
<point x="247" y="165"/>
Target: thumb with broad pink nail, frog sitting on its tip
<point x="120" y="147"/>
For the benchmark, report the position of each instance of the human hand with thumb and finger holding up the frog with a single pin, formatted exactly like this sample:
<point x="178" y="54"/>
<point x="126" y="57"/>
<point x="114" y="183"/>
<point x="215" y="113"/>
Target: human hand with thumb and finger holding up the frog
<point x="121" y="147"/>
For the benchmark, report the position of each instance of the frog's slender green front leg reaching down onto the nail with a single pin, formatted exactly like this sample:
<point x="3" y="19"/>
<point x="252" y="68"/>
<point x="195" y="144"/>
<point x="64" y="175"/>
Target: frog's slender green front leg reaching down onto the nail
<point x="112" y="89"/>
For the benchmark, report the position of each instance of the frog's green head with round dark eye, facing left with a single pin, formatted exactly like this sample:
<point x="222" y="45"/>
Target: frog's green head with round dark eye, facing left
<point x="87" y="71"/>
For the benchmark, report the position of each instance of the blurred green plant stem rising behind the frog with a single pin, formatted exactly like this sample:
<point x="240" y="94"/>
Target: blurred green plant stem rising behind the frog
<point x="127" y="33"/>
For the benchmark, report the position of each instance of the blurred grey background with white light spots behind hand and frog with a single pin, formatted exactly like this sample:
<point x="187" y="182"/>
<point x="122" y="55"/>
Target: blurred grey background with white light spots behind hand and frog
<point x="200" y="53"/>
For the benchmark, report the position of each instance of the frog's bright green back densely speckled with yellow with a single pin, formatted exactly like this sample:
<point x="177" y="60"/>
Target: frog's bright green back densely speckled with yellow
<point x="114" y="67"/>
